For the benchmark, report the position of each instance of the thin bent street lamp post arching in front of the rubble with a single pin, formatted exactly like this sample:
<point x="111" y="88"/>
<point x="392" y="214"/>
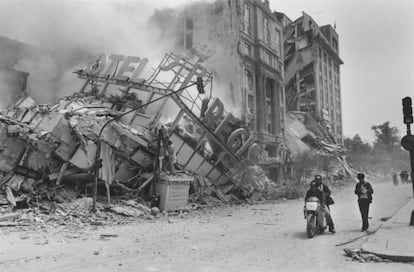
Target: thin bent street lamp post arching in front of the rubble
<point x="98" y="161"/>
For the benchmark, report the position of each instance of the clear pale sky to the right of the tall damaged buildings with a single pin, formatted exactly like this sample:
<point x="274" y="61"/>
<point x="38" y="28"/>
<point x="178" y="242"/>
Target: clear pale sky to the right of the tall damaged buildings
<point x="376" y="43"/>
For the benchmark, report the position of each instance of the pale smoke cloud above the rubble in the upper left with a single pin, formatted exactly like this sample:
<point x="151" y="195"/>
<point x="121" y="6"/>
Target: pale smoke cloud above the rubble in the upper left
<point x="67" y="33"/>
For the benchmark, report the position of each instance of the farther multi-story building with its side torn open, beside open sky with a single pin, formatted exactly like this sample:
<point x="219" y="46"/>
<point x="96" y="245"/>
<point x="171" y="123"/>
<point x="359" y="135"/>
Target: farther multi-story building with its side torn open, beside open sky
<point x="312" y="71"/>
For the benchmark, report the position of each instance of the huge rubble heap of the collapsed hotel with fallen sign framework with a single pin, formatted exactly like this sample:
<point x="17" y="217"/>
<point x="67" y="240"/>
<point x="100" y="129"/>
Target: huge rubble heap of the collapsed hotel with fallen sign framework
<point x="112" y="135"/>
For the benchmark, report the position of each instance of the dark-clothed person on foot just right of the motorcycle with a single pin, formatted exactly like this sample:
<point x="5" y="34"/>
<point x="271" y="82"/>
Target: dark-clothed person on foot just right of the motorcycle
<point x="364" y="192"/>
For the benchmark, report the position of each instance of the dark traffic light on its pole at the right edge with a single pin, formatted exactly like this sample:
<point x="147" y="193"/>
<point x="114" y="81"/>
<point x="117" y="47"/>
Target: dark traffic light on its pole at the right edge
<point x="408" y="141"/>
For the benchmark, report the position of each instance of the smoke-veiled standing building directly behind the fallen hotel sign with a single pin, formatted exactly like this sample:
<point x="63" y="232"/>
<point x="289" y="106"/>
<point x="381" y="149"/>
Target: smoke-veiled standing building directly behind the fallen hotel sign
<point x="243" y="45"/>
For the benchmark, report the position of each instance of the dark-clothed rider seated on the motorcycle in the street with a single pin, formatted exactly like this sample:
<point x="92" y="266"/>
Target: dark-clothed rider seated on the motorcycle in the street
<point x="323" y="193"/>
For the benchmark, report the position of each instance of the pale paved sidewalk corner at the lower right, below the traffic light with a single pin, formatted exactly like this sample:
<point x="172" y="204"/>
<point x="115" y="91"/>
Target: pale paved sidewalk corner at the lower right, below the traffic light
<point x="395" y="239"/>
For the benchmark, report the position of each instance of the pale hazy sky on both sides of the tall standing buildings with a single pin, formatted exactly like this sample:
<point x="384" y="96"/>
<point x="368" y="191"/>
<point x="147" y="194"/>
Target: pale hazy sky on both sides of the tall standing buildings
<point x="376" y="43"/>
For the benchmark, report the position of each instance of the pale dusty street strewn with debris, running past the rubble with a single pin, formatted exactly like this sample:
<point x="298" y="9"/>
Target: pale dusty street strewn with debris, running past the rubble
<point x="265" y="237"/>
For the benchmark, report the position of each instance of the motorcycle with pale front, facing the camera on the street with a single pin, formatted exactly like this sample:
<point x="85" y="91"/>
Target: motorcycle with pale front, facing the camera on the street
<point x="315" y="217"/>
